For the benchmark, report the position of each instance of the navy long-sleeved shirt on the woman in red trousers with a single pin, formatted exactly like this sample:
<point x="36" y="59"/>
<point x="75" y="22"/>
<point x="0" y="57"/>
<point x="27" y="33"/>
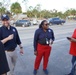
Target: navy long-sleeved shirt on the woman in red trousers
<point x="40" y="34"/>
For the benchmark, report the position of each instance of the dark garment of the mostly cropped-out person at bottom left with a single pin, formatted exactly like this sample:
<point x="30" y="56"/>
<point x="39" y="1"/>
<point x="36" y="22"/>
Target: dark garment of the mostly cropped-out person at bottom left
<point x="3" y="61"/>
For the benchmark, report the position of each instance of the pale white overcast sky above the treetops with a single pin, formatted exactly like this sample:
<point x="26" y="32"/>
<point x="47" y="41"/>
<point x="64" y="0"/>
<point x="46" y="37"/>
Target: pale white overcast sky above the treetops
<point x="60" y="5"/>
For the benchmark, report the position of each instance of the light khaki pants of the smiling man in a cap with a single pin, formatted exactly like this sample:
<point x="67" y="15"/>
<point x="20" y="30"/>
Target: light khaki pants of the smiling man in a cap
<point x="11" y="58"/>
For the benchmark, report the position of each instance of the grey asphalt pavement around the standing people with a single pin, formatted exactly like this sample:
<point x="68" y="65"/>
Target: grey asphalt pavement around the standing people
<point x="59" y="61"/>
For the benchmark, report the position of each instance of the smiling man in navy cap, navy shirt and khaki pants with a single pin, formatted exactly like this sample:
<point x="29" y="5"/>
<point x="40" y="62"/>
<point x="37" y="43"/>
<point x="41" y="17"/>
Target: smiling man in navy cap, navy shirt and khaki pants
<point x="10" y="46"/>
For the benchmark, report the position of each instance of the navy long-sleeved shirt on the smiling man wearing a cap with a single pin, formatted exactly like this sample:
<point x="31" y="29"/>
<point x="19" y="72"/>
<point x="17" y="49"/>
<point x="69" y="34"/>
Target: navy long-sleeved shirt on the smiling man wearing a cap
<point x="11" y="44"/>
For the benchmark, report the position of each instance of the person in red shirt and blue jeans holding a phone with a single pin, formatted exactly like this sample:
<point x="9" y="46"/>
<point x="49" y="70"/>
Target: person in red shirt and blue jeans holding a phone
<point x="72" y="50"/>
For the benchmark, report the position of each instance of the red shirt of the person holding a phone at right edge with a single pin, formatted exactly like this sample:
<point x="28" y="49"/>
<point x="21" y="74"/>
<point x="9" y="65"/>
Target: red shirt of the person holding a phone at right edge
<point x="73" y="45"/>
